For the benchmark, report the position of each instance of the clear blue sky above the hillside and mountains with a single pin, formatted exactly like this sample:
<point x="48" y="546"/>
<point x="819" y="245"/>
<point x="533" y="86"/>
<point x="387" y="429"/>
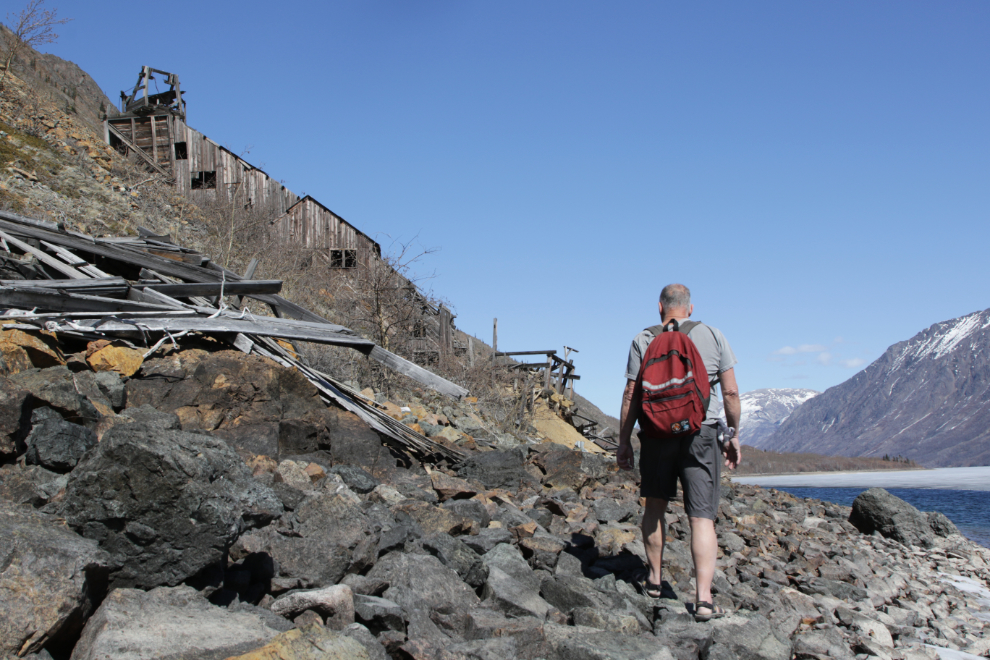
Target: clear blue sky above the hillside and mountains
<point x="816" y="172"/>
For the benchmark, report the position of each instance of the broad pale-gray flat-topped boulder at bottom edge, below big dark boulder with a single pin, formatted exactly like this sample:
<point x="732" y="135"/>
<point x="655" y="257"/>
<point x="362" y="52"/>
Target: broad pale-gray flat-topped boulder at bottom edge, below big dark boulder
<point x="172" y="622"/>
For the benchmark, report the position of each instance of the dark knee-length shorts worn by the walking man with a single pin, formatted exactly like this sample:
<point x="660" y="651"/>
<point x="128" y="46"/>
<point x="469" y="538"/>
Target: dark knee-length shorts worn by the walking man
<point x="696" y="459"/>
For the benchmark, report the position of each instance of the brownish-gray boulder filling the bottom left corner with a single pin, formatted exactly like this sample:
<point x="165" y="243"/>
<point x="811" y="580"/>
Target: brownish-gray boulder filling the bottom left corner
<point x="51" y="580"/>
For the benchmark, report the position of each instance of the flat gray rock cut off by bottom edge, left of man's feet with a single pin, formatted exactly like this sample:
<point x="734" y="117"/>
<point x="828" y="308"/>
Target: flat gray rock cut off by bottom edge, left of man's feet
<point x="581" y="643"/>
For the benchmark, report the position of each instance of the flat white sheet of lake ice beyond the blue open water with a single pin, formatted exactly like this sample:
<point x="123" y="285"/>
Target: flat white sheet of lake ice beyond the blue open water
<point x="971" y="478"/>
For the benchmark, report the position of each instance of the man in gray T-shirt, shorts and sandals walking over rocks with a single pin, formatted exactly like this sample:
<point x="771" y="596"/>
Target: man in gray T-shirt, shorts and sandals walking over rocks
<point x="695" y="459"/>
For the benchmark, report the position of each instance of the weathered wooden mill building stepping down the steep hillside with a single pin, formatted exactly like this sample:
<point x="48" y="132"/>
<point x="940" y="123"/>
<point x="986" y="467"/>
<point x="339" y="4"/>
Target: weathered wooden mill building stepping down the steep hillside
<point x="152" y="127"/>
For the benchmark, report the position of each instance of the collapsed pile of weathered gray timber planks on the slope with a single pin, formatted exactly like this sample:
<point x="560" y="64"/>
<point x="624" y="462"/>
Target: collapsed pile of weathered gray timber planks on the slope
<point x="174" y="291"/>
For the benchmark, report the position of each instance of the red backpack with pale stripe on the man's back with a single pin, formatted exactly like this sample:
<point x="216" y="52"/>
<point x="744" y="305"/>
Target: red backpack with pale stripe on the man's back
<point x="672" y="385"/>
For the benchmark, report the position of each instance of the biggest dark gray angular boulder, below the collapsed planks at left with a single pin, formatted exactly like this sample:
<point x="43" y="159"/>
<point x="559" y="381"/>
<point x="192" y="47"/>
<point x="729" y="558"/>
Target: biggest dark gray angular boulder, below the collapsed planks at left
<point x="164" y="504"/>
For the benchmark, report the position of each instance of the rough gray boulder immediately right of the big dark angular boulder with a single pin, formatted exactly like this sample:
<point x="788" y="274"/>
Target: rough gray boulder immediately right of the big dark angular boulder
<point x="330" y="537"/>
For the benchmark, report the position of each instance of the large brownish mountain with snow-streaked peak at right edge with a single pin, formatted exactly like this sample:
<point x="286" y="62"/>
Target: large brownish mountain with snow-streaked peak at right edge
<point x="927" y="398"/>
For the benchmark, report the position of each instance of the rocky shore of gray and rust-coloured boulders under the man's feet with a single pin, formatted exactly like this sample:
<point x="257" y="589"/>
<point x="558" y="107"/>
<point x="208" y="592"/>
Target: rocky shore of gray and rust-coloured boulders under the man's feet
<point x="210" y="505"/>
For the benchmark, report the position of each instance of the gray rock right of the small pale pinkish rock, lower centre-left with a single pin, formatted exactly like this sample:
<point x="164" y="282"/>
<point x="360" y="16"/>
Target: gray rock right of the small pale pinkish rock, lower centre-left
<point x="421" y="581"/>
